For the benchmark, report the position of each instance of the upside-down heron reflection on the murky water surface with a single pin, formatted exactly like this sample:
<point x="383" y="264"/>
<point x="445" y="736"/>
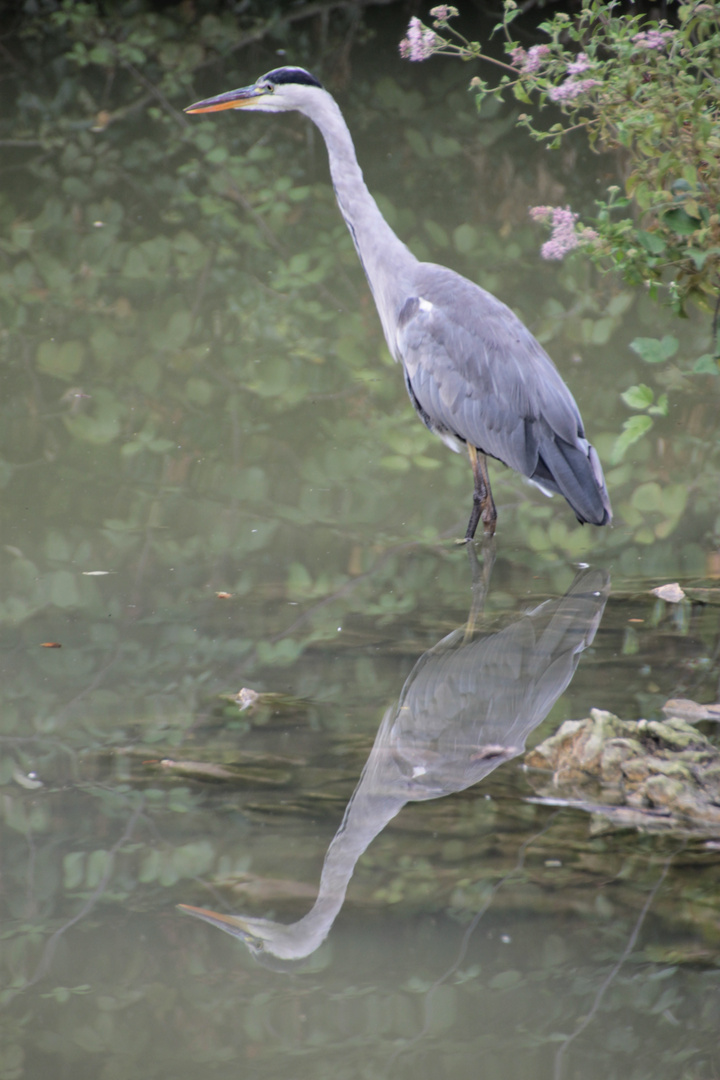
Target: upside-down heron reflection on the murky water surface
<point x="468" y="706"/>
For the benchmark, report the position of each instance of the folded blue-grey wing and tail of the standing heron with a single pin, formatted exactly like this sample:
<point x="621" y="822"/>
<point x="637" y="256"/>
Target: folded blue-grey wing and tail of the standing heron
<point x="477" y="373"/>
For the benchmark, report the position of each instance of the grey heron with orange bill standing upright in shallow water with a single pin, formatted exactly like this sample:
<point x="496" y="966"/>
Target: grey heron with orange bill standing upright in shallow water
<point x="474" y="373"/>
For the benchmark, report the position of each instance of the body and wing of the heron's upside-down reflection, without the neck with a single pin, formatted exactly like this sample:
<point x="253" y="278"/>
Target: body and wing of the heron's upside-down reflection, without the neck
<point x="465" y="708"/>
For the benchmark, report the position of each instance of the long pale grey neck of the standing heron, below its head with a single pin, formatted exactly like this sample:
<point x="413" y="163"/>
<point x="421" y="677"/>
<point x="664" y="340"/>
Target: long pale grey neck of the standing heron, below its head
<point x="387" y="262"/>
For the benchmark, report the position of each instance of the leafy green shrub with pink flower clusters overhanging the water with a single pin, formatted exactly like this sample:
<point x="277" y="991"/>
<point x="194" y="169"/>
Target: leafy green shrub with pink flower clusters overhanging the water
<point x="642" y="88"/>
